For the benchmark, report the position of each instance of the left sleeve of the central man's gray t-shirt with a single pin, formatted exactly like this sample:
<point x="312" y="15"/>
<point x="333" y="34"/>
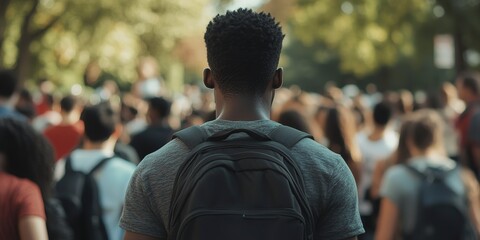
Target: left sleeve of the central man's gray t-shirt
<point x="138" y="215"/>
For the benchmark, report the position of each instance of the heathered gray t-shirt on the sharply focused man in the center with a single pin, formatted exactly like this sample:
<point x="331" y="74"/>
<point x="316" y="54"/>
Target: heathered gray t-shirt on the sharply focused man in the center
<point x="329" y="185"/>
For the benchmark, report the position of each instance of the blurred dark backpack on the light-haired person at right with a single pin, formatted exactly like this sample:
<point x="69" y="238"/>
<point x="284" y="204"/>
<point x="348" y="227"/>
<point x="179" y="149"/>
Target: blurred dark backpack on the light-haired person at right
<point x="442" y="214"/>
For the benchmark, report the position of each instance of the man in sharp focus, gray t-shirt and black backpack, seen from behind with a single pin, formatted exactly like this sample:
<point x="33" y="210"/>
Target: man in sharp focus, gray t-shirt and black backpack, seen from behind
<point x="242" y="175"/>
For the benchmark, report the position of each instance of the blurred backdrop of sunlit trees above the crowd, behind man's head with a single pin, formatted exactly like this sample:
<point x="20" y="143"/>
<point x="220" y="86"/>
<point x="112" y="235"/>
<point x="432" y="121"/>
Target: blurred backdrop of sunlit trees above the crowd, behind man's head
<point x="408" y="44"/>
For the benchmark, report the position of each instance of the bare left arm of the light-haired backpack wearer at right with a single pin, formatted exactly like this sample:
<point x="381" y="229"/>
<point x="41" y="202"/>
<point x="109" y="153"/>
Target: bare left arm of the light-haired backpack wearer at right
<point x="387" y="221"/>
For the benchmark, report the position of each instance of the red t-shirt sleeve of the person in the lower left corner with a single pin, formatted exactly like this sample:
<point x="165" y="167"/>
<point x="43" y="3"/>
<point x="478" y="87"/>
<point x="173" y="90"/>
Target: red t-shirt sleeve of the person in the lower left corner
<point x="29" y="200"/>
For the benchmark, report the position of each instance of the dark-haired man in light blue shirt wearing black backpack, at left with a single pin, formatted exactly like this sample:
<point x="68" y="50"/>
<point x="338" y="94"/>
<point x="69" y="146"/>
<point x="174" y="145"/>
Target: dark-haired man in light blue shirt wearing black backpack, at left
<point x="96" y="176"/>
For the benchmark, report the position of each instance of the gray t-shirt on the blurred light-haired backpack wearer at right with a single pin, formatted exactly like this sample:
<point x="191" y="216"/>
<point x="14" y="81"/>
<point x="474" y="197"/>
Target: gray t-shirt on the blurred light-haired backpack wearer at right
<point x="400" y="185"/>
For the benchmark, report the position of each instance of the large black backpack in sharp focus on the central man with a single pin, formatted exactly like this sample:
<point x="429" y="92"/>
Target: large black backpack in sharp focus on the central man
<point x="239" y="188"/>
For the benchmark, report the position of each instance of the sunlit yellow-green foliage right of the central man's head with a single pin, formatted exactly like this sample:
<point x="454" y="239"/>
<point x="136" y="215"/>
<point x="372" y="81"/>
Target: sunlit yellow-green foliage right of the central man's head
<point x="366" y="34"/>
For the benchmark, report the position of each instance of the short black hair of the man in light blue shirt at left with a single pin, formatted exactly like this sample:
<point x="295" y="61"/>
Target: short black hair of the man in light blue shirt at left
<point x="100" y="121"/>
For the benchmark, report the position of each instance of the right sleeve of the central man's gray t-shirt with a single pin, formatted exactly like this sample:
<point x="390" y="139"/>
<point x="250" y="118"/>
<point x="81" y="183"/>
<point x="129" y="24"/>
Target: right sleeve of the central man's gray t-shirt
<point x="341" y="218"/>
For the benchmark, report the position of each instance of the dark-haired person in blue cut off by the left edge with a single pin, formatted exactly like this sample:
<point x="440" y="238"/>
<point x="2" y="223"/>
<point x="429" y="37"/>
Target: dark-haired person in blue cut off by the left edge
<point x="8" y="88"/>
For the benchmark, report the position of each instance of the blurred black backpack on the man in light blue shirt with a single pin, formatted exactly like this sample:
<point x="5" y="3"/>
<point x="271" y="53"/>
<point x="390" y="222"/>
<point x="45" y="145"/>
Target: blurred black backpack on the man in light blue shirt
<point x="79" y="196"/>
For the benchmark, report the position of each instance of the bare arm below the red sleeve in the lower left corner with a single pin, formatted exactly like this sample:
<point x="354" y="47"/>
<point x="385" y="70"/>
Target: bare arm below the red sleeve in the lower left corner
<point x="32" y="228"/>
